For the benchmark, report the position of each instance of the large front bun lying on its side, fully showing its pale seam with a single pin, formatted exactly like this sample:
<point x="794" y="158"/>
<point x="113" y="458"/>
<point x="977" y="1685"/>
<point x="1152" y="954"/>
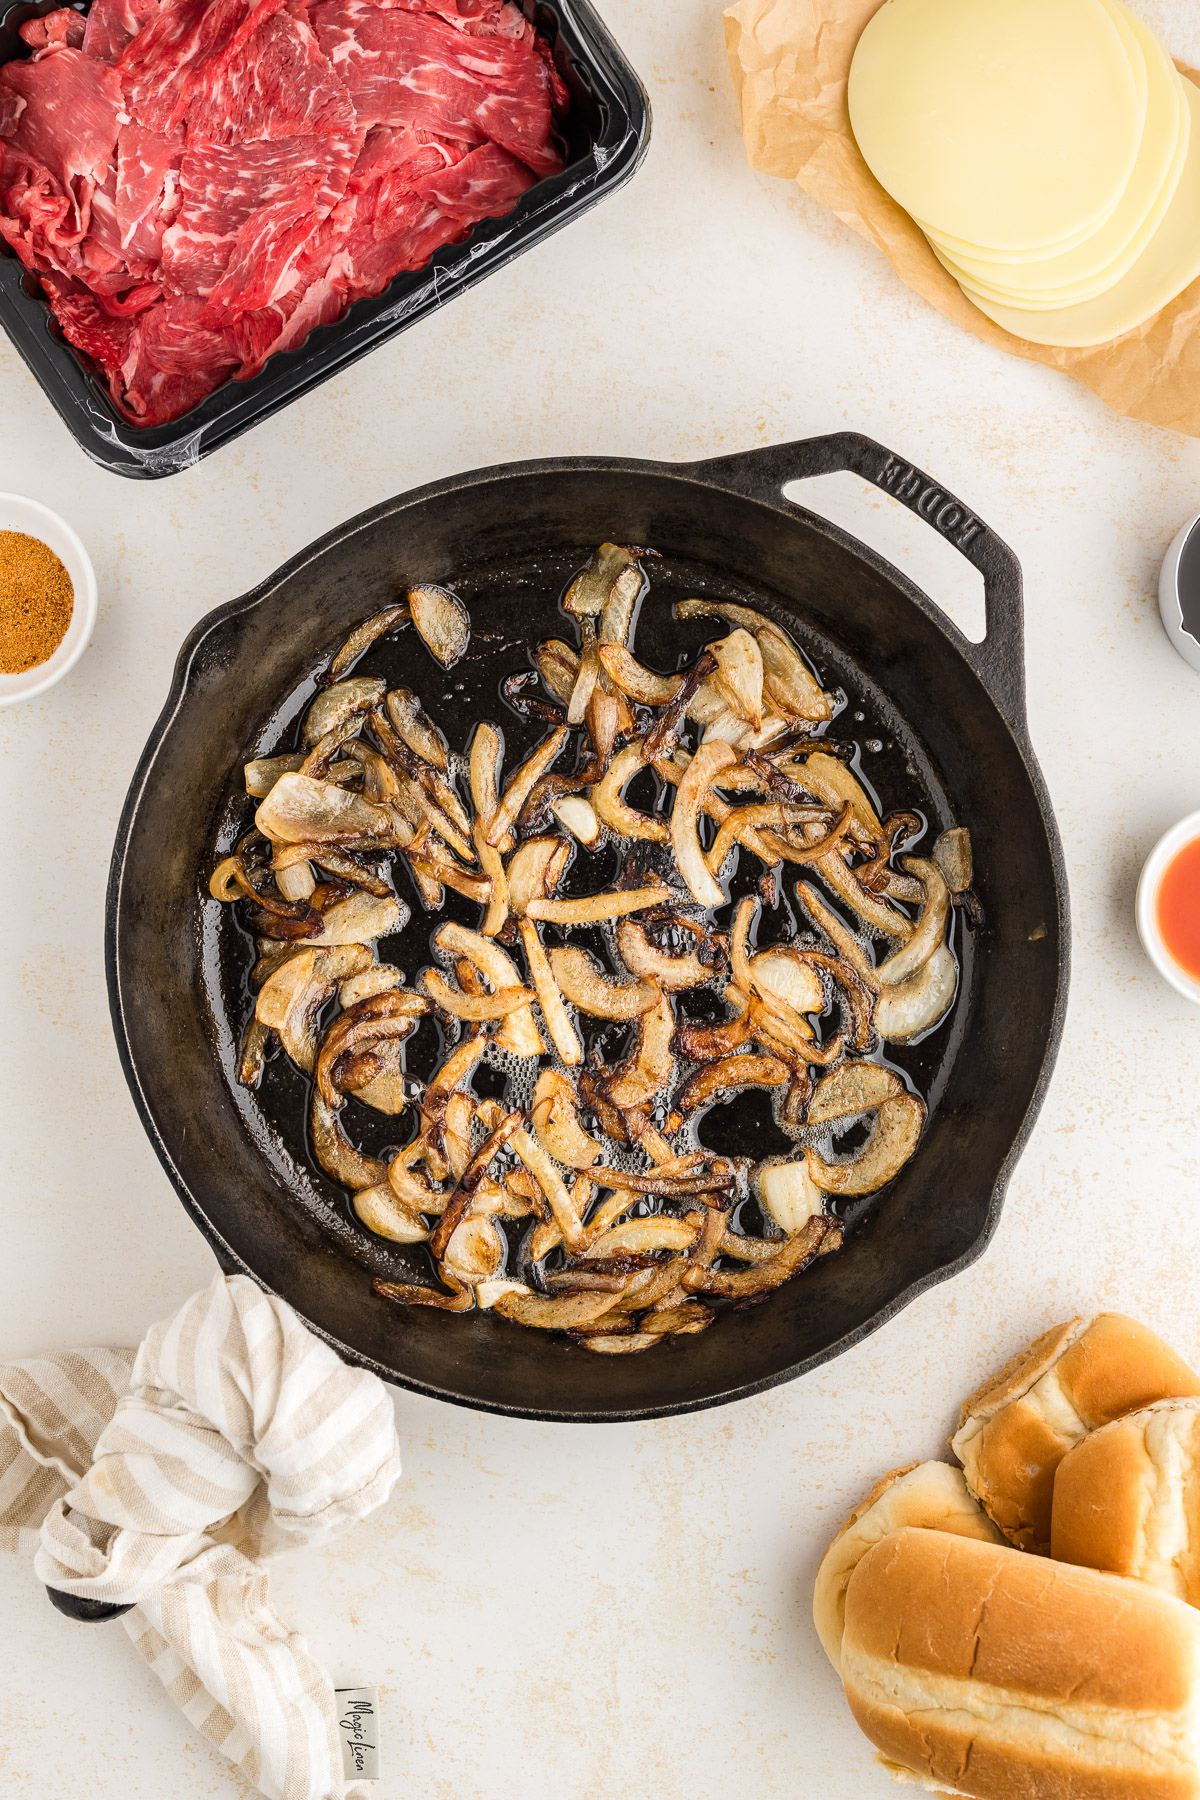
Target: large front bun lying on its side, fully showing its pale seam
<point x="1005" y="1677"/>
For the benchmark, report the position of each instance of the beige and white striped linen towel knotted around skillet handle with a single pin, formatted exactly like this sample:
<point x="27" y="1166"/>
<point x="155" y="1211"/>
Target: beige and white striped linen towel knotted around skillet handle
<point x="165" y="1479"/>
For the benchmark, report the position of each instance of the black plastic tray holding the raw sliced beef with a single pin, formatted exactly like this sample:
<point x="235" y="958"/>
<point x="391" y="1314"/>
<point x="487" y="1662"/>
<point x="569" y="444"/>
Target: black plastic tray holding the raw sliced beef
<point x="607" y="136"/>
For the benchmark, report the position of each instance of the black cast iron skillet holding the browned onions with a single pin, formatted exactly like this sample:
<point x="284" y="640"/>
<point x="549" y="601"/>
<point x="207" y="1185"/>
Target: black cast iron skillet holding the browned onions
<point x="953" y="715"/>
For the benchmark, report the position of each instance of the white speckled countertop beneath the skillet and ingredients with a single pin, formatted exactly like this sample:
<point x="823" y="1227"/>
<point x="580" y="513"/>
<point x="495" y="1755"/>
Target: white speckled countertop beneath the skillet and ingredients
<point x="620" y="1610"/>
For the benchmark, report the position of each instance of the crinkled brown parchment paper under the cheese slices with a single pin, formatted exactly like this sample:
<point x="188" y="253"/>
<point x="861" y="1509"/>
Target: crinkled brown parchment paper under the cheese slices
<point x="791" y="62"/>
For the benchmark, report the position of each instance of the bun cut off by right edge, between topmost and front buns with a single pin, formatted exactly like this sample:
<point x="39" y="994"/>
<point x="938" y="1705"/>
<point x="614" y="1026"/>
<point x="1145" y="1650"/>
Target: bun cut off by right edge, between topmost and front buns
<point x="1129" y="1500"/>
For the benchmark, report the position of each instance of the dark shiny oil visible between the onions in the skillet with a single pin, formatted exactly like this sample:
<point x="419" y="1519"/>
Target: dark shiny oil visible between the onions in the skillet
<point x="510" y="618"/>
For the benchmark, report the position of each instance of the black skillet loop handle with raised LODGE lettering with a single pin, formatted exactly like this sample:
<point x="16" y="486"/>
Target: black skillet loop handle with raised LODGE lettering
<point x="999" y="660"/>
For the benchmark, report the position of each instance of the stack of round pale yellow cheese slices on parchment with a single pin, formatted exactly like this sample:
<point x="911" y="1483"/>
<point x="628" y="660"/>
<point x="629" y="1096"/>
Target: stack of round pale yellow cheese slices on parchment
<point x="1050" y="150"/>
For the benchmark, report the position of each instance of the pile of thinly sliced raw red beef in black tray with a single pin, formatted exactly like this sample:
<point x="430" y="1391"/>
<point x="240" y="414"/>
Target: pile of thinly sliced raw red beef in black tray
<point x="199" y="184"/>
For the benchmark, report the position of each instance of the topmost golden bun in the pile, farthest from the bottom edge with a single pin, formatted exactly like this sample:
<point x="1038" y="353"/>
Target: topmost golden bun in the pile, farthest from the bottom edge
<point x="1019" y="1426"/>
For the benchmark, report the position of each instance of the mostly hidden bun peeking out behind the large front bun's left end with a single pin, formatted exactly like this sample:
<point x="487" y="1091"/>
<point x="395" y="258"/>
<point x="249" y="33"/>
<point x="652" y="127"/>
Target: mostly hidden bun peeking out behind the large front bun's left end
<point x="931" y="1495"/>
